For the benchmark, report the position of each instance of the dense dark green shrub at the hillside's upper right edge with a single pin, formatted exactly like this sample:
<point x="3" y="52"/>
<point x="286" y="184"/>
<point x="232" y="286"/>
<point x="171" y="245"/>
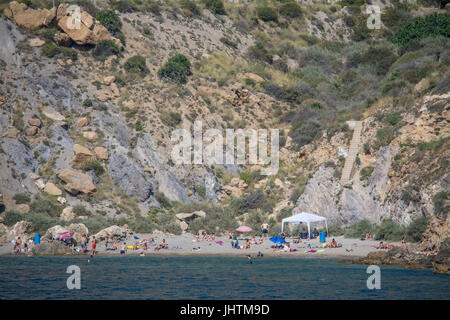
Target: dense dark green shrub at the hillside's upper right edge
<point x="430" y="26"/>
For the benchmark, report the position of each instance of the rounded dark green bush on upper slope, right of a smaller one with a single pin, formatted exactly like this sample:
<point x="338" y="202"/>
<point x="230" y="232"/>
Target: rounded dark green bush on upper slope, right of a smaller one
<point x="176" y="69"/>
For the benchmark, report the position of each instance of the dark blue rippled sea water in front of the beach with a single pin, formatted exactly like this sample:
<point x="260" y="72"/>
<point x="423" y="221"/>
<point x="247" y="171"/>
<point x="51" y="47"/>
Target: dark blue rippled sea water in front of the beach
<point x="180" y="277"/>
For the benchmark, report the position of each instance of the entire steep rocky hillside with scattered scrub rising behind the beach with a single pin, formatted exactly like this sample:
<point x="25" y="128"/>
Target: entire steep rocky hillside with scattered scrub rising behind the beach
<point x="67" y="106"/>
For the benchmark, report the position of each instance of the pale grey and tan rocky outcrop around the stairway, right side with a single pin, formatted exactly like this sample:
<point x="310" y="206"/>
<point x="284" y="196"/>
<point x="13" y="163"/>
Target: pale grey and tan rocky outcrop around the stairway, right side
<point x="404" y="179"/>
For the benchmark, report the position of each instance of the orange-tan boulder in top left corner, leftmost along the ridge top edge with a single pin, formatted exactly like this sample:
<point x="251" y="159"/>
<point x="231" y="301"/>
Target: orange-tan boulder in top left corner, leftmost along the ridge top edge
<point x="29" y="18"/>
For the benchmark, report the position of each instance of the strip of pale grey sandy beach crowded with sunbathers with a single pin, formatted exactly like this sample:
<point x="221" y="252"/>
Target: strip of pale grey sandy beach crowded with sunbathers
<point x="186" y="245"/>
